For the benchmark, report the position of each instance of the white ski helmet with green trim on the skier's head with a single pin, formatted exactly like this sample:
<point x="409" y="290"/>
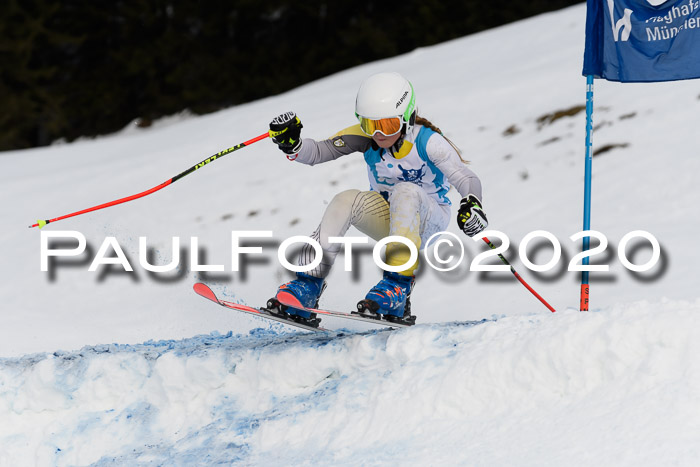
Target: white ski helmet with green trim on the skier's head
<point x="387" y="95"/>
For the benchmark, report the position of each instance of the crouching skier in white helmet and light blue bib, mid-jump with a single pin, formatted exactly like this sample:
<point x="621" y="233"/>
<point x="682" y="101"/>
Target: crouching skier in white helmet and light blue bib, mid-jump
<point x="411" y="166"/>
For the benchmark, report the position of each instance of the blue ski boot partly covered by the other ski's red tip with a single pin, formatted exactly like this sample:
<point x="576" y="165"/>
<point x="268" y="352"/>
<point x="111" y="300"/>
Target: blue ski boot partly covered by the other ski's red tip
<point x="306" y="290"/>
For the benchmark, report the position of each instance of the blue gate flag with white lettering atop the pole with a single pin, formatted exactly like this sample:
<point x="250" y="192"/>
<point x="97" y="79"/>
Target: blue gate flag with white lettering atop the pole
<point x="642" y="40"/>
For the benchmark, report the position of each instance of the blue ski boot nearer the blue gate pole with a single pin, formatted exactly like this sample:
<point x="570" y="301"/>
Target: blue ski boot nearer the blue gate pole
<point x="390" y="299"/>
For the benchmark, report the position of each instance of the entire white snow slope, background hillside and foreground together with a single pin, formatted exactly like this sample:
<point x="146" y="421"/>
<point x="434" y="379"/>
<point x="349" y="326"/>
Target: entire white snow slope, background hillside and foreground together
<point x="617" y="386"/>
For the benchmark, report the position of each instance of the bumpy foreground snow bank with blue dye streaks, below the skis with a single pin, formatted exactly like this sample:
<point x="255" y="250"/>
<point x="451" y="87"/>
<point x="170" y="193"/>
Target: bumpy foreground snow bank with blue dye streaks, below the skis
<point x="427" y="394"/>
